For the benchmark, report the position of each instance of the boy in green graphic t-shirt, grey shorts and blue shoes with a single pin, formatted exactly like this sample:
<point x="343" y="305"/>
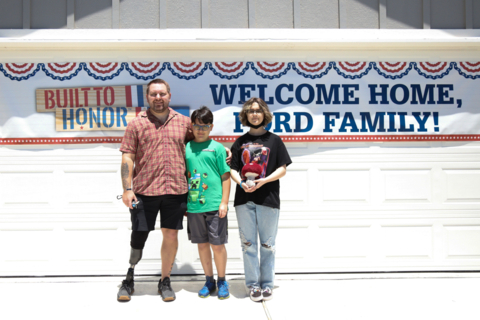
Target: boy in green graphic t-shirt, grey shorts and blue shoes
<point x="208" y="192"/>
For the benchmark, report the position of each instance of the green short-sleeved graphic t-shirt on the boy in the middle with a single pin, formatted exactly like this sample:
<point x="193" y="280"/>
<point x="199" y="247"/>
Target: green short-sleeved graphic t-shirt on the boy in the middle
<point x="206" y="163"/>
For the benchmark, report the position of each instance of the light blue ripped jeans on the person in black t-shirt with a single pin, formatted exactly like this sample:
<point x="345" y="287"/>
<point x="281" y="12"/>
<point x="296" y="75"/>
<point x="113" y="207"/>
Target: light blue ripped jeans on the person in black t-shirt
<point x="258" y="221"/>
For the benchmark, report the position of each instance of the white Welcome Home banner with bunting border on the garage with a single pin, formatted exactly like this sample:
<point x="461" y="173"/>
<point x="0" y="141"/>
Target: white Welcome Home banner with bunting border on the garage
<point x="318" y="101"/>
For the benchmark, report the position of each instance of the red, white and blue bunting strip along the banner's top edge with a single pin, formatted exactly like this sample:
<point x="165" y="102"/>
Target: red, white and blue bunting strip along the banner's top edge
<point x="234" y="70"/>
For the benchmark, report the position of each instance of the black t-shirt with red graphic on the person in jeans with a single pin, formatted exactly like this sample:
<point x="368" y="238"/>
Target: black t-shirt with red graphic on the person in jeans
<point x="268" y="151"/>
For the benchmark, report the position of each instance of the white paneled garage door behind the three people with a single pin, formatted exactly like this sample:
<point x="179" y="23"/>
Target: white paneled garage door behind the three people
<point x="345" y="207"/>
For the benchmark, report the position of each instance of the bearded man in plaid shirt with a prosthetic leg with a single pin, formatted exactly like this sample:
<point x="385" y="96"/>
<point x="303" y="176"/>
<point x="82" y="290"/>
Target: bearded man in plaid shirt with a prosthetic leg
<point x="153" y="179"/>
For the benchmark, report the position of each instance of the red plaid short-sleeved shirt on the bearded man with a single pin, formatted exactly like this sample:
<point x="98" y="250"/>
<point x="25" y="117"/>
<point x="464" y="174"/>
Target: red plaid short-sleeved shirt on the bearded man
<point x="159" y="153"/>
